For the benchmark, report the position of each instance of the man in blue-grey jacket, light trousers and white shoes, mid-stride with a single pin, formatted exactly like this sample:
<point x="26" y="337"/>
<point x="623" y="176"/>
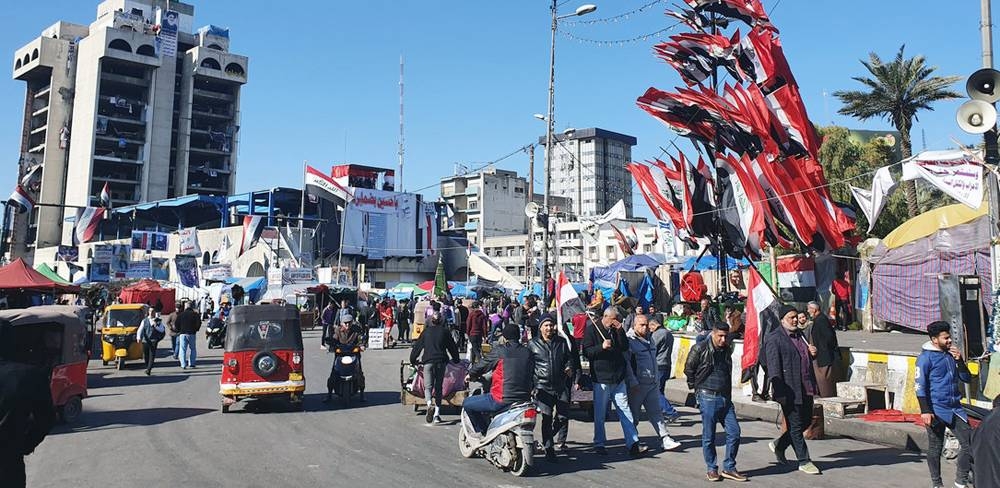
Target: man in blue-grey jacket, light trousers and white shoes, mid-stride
<point x="643" y="378"/>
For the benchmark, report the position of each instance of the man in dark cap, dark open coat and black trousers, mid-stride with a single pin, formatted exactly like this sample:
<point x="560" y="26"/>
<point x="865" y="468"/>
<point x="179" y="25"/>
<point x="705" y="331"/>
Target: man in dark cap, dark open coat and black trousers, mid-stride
<point x="793" y="385"/>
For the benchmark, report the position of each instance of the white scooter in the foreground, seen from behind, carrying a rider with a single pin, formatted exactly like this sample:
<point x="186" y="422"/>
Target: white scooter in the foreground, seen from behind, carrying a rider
<point x="509" y="441"/>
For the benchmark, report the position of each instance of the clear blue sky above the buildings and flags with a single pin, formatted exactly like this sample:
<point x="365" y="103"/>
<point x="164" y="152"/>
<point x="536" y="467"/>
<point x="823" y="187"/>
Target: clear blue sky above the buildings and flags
<point x="323" y="77"/>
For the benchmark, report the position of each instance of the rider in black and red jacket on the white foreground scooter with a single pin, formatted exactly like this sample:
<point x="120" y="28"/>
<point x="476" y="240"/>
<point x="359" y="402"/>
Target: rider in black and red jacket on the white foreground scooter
<point x="513" y="375"/>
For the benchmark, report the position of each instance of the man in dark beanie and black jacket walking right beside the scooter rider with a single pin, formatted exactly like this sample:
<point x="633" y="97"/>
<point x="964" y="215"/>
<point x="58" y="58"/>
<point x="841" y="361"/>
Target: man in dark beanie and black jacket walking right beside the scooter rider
<point x="553" y="370"/>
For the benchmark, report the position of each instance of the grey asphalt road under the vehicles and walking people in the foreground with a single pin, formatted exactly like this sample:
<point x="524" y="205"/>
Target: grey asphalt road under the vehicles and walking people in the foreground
<point x="167" y="430"/>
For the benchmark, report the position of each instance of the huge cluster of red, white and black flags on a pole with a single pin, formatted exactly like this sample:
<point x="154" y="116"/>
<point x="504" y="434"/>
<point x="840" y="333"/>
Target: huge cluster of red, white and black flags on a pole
<point x="755" y="131"/>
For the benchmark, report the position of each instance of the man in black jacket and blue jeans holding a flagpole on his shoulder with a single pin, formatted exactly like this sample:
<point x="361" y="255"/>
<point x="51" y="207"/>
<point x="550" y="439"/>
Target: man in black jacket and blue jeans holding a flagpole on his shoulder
<point x="605" y="345"/>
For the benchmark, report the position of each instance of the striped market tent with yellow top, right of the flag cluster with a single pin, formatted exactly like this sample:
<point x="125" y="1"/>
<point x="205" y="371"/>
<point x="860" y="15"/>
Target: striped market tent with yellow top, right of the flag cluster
<point x="952" y="239"/>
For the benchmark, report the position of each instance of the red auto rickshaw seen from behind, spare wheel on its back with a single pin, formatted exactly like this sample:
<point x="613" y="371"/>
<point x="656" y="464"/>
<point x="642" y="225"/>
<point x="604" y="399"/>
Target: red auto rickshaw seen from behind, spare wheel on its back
<point x="263" y="355"/>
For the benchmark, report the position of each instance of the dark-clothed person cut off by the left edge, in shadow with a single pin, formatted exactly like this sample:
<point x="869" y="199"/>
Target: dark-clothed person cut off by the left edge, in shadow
<point x="26" y="412"/>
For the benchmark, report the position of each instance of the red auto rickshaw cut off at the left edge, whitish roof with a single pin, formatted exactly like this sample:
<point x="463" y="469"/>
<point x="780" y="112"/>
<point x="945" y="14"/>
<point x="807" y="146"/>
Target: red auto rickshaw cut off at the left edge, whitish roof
<point x="53" y="337"/>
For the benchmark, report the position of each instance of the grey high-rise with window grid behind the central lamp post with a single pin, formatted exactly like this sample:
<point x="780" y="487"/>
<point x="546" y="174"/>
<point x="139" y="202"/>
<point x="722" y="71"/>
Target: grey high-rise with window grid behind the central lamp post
<point x="588" y="168"/>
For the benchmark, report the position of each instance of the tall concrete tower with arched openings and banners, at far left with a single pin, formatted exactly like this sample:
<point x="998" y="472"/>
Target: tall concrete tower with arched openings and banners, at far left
<point x="137" y="100"/>
